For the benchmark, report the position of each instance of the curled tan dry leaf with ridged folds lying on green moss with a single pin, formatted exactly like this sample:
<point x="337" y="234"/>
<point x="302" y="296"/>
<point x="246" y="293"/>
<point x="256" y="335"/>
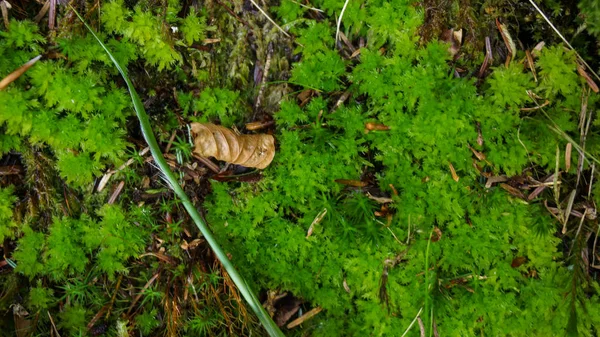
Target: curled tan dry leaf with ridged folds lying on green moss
<point x="223" y="144"/>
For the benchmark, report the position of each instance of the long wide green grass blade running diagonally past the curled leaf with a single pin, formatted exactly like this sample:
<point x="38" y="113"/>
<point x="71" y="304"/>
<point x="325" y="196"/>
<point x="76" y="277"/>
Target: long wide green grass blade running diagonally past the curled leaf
<point x="159" y="159"/>
